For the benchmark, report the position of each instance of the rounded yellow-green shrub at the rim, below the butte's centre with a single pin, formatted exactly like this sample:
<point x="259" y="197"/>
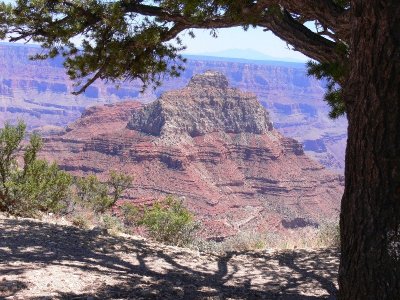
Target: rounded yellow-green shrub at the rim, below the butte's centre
<point x="170" y="222"/>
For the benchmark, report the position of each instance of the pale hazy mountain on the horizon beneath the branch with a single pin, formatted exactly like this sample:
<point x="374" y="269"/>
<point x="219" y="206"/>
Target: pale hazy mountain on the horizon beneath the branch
<point x="249" y="54"/>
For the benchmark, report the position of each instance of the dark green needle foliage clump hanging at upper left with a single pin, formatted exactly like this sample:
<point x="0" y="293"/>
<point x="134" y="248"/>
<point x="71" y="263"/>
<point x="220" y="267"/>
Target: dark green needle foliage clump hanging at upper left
<point x="115" y="45"/>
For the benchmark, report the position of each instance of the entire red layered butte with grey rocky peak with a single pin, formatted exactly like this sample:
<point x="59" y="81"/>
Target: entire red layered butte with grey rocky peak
<point x="210" y="144"/>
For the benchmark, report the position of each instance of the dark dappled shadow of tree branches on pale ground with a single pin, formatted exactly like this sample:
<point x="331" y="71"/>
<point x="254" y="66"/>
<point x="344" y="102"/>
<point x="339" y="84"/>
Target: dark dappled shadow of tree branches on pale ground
<point x="31" y="242"/>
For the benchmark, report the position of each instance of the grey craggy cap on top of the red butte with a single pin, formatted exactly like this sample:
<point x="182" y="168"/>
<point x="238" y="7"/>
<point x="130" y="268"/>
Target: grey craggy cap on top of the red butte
<point x="206" y="105"/>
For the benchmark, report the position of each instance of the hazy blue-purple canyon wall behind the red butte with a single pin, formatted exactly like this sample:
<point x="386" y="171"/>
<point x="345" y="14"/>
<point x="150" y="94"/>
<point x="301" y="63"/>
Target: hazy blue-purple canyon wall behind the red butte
<point x="39" y="92"/>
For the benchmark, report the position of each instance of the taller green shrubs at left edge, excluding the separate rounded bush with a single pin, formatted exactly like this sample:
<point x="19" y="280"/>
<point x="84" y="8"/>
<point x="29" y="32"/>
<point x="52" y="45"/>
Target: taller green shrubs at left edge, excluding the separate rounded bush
<point x="30" y="186"/>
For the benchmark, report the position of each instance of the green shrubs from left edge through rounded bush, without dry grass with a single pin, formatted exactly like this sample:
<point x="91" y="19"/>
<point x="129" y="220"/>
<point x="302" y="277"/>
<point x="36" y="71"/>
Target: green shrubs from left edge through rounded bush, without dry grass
<point x="30" y="186"/>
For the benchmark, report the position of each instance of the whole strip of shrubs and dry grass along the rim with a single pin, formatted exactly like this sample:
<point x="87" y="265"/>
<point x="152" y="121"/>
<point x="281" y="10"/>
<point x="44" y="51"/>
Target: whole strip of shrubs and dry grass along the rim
<point x="30" y="186"/>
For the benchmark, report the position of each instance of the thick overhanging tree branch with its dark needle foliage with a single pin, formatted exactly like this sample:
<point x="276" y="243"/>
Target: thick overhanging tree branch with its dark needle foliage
<point x="117" y="26"/>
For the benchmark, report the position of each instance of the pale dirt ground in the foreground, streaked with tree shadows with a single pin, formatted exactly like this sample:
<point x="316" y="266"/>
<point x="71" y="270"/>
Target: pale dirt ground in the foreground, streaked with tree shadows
<point x="42" y="260"/>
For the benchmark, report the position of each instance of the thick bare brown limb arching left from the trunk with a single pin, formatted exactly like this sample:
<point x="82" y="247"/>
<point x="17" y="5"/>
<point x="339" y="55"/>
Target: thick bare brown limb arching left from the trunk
<point x="281" y="24"/>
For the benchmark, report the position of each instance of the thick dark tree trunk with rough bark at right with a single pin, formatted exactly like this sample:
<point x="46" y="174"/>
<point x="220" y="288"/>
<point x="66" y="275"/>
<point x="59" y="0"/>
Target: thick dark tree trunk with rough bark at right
<point x="370" y="214"/>
